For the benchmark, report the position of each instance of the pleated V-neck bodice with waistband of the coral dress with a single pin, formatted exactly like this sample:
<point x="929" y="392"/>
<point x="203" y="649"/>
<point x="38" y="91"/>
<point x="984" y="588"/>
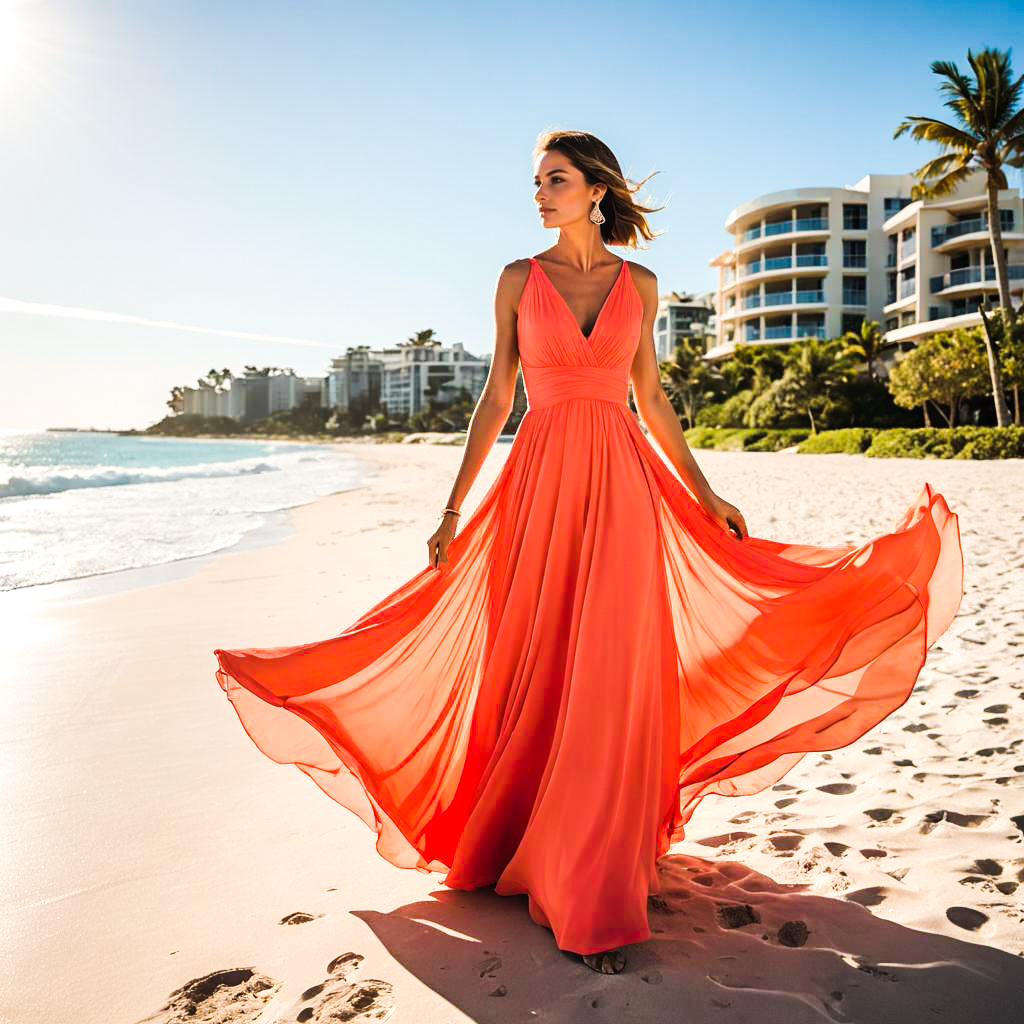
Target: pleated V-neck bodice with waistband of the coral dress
<point x="559" y="361"/>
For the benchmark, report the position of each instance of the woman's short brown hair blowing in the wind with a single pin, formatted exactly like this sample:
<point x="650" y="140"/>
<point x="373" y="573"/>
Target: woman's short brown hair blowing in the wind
<point x="624" y="220"/>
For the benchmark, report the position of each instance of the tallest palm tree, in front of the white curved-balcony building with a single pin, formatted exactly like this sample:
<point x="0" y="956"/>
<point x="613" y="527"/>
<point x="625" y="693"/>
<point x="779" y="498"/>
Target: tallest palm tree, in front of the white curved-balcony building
<point x="992" y="136"/>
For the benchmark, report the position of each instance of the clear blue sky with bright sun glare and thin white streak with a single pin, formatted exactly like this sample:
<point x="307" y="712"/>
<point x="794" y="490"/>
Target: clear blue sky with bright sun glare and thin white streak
<point x="345" y="174"/>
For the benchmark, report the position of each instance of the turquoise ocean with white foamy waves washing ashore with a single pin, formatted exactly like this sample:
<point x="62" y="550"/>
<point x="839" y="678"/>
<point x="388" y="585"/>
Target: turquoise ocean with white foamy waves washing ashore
<point x="76" y="504"/>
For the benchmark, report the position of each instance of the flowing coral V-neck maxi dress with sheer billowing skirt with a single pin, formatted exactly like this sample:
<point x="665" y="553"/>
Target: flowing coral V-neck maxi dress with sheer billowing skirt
<point x="545" y="713"/>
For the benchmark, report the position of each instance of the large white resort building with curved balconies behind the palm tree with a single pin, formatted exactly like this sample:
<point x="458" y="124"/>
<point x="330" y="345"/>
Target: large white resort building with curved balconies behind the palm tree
<point x="816" y="263"/>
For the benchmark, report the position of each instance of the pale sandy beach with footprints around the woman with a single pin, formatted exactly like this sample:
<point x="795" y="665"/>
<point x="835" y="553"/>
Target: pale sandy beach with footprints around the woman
<point x="150" y="846"/>
